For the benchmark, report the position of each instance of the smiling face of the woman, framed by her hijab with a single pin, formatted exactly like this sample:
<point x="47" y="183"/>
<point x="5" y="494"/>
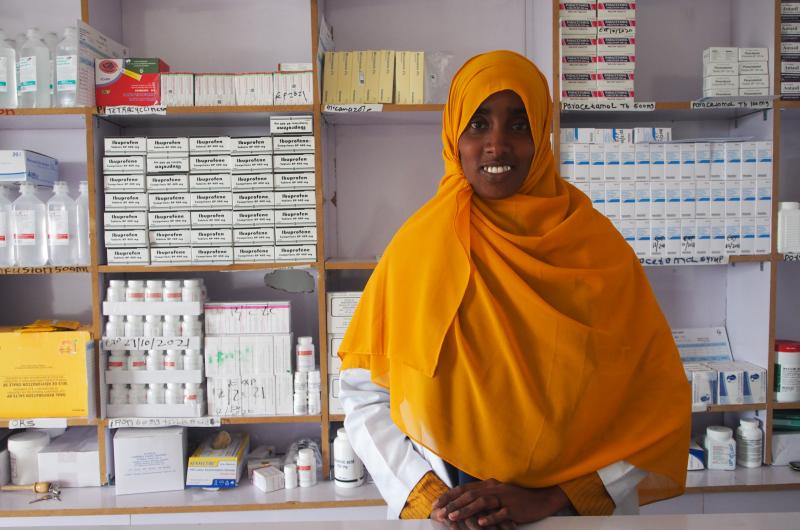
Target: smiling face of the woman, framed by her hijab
<point x="496" y="148"/>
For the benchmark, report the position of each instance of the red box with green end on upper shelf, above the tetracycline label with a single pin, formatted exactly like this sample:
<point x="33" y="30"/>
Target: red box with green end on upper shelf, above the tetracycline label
<point x="131" y="81"/>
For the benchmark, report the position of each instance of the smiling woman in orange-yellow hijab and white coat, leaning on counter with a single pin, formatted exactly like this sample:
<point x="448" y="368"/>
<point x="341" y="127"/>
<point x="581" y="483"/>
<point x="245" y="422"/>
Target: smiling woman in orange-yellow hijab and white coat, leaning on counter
<point x="508" y="360"/>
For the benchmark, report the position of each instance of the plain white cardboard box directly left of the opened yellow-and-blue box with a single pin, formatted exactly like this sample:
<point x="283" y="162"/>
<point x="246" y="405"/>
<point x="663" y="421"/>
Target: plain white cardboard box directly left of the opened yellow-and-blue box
<point x="149" y="460"/>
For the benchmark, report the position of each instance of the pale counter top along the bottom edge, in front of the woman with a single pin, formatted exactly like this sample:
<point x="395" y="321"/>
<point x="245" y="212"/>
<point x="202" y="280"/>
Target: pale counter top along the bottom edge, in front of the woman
<point x="758" y="521"/>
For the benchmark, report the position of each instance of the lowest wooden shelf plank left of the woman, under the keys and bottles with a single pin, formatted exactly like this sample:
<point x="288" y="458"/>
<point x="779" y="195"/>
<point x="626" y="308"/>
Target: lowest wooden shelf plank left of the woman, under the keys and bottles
<point x="245" y="497"/>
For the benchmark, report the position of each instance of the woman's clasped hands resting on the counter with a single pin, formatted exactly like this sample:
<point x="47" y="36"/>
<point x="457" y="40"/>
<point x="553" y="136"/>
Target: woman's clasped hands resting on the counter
<point x="490" y="504"/>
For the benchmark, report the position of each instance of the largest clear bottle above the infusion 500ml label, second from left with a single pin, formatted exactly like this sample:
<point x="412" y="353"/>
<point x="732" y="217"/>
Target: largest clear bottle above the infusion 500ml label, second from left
<point x="28" y="227"/>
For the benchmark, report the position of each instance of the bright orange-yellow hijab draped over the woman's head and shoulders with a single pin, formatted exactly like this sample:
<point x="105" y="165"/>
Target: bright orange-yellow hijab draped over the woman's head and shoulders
<point x="519" y="337"/>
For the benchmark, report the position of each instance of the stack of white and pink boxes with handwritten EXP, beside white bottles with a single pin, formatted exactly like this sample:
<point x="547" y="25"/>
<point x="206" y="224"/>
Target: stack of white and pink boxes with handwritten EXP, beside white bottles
<point x="248" y="358"/>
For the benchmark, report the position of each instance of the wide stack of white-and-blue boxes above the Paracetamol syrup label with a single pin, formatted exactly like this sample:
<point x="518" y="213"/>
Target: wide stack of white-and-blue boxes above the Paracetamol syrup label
<point x="675" y="200"/>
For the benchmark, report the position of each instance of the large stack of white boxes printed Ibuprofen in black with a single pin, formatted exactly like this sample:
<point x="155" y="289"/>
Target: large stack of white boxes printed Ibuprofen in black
<point x="212" y="200"/>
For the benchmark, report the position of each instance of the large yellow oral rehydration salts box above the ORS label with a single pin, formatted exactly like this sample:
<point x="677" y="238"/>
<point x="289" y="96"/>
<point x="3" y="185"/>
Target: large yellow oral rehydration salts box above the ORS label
<point x="46" y="375"/>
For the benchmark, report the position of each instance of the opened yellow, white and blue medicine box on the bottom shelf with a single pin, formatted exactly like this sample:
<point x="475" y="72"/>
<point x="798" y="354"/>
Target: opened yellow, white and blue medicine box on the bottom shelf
<point x="218" y="468"/>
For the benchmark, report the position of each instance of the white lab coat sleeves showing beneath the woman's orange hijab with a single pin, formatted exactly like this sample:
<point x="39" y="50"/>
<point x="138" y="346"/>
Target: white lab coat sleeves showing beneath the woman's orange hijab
<point x="397" y="463"/>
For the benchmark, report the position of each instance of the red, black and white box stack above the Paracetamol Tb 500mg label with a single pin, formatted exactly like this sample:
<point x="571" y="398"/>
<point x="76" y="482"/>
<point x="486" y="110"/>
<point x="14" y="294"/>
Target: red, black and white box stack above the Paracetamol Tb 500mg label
<point x="598" y="50"/>
